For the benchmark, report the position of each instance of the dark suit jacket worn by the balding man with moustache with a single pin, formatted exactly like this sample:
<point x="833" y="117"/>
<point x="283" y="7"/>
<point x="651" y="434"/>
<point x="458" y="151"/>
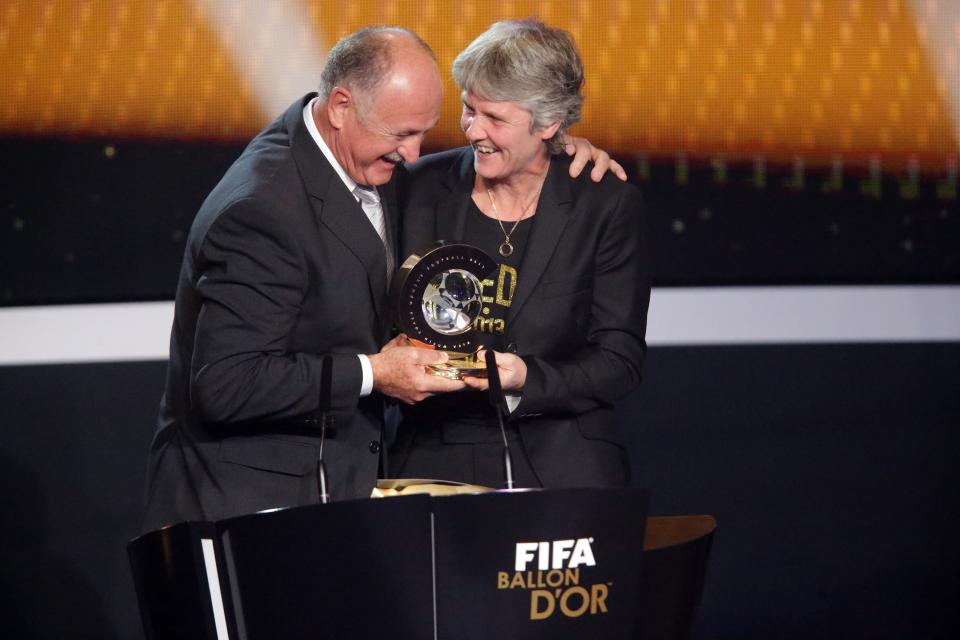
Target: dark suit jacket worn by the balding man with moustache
<point x="281" y="268"/>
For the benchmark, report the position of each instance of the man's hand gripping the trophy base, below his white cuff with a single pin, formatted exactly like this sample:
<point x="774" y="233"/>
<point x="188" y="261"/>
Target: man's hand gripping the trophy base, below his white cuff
<point x="399" y="371"/>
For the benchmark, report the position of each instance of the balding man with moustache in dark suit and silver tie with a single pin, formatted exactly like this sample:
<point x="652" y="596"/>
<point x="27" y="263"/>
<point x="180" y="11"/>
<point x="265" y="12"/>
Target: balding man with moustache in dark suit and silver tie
<point x="287" y="264"/>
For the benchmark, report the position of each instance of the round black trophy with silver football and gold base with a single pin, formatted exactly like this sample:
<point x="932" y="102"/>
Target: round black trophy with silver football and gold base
<point x="437" y="295"/>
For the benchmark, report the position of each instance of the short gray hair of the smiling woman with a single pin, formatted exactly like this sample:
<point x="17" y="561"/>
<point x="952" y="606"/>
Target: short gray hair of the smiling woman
<point x="531" y="64"/>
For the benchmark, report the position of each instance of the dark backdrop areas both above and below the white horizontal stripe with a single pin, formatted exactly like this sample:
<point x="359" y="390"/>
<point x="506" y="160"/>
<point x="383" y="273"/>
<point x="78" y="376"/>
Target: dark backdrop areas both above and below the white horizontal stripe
<point x="829" y="468"/>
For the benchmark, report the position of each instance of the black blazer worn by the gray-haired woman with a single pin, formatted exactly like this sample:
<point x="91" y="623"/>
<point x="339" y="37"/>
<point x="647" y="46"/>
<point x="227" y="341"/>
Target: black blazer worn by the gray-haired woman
<point x="578" y="316"/>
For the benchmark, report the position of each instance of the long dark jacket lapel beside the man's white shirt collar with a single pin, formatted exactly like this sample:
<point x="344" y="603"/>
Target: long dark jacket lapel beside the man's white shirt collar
<point x="335" y="207"/>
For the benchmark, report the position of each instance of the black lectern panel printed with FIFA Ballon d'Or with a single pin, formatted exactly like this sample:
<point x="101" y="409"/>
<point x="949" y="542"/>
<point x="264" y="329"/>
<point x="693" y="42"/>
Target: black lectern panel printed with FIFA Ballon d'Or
<point x="540" y="564"/>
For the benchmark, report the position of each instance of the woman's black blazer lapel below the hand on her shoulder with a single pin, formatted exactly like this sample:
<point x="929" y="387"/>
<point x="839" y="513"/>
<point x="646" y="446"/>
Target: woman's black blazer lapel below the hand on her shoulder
<point x="553" y="211"/>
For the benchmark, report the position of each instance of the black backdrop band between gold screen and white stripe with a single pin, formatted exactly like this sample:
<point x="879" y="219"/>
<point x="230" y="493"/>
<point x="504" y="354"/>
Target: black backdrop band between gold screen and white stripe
<point x="110" y="220"/>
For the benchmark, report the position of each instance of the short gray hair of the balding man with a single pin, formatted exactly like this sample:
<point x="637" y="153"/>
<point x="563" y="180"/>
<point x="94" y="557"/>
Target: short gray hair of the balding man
<point x="361" y="61"/>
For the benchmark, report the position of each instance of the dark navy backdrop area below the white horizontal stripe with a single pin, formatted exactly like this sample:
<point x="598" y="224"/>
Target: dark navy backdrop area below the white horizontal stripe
<point x="831" y="470"/>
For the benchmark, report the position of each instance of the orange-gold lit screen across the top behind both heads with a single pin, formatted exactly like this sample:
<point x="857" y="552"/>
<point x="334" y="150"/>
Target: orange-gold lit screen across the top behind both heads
<point x="859" y="80"/>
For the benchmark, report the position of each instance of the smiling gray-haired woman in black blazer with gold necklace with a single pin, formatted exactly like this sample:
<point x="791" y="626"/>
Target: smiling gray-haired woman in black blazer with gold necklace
<point x="565" y="309"/>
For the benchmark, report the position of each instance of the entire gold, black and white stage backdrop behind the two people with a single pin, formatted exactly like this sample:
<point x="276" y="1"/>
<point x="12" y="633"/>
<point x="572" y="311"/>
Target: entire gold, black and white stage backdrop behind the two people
<point x="777" y="142"/>
